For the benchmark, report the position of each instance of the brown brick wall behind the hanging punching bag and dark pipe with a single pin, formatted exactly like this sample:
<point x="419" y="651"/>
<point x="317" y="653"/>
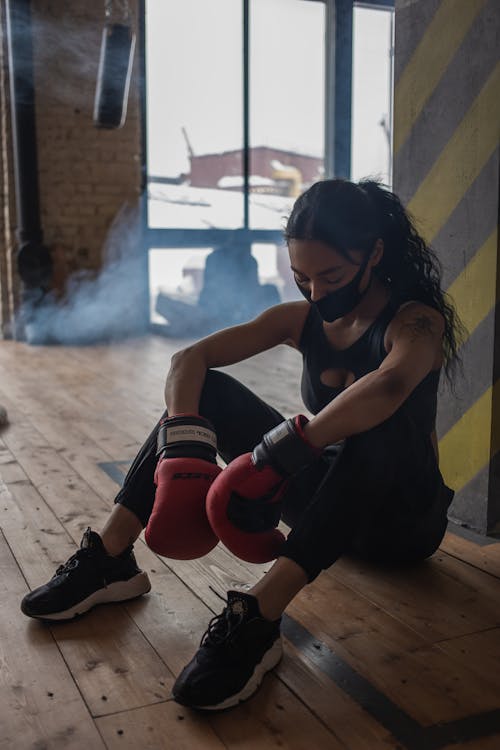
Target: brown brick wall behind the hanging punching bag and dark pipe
<point x="86" y="175"/>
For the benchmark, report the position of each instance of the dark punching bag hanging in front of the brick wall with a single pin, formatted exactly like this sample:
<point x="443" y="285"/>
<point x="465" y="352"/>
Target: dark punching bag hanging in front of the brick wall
<point x="113" y="77"/>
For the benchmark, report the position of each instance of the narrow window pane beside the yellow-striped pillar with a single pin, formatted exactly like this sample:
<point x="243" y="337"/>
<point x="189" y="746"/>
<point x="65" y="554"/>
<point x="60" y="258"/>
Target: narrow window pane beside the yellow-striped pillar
<point x="372" y="94"/>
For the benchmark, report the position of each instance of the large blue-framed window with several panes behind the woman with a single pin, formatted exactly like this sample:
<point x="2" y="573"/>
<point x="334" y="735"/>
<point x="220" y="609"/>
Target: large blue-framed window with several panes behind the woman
<point x="238" y="116"/>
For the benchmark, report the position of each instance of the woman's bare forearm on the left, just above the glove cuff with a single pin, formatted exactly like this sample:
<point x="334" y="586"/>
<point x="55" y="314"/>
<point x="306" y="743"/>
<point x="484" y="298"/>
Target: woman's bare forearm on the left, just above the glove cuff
<point x="185" y="382"/>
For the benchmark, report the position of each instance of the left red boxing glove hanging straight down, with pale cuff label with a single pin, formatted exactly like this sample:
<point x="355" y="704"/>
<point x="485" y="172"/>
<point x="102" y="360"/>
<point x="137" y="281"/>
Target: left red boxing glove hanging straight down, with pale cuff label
<point x="178" y="526"/>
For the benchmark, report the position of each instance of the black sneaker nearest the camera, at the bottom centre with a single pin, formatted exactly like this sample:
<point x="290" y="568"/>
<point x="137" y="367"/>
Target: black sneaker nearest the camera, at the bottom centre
<point x="236" y="651"/>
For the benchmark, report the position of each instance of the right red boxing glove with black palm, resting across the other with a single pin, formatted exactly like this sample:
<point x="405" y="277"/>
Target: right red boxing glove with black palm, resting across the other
<point x="243" y="504"/>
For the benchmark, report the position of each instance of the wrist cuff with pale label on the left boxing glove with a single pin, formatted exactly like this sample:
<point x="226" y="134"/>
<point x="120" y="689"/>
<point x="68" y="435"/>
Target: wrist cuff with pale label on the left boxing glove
<point x="186" y="435"/>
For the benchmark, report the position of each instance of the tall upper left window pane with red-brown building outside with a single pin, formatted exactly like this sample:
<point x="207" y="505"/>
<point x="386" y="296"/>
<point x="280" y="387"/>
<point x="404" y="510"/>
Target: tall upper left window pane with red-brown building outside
<point x="194" y="112"/>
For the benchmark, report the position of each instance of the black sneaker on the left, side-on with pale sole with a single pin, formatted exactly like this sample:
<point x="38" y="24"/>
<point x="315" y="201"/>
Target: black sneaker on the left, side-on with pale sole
<point x="89" y="577"/>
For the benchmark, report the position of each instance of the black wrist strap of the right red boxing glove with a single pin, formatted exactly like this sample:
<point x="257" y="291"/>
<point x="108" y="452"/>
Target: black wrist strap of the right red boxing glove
<point x="286" y="448"/>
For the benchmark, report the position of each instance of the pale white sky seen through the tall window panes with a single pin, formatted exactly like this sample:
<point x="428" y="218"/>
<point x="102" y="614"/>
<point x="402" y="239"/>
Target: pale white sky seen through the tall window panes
<point x="194" y="54"/>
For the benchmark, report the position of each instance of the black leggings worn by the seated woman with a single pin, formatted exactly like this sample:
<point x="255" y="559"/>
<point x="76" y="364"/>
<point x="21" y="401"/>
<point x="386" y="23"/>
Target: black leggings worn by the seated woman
<point x="380" y="495"/>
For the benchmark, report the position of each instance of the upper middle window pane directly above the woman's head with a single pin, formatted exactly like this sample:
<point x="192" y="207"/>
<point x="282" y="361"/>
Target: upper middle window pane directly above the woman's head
<point x="286" y="105"/>
